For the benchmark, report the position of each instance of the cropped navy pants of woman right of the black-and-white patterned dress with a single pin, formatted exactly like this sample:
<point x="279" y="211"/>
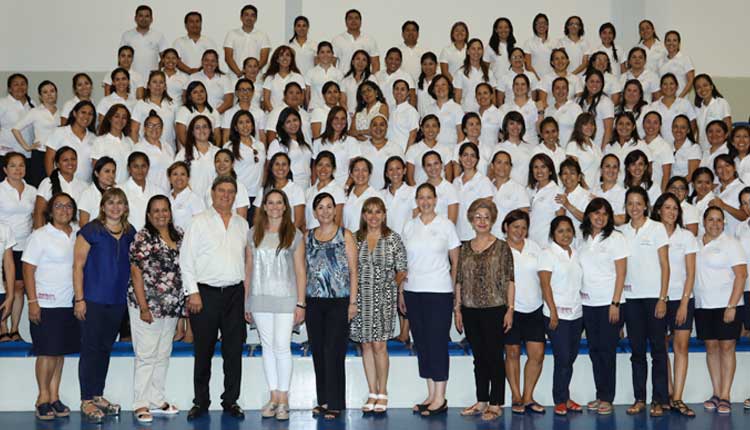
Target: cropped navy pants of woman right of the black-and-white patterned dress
<point x="430" y="317"/>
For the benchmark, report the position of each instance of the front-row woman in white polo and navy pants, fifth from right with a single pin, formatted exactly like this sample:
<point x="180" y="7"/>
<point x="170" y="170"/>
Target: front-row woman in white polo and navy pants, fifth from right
<point x="560" y="275"/>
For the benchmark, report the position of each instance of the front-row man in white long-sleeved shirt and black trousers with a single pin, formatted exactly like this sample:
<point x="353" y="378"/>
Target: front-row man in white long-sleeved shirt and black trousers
<point x="212" y="262"/>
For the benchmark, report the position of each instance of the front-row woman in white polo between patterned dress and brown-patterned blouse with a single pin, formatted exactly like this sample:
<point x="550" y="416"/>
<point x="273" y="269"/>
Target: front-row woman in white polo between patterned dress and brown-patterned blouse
<point x="432" y="248"/>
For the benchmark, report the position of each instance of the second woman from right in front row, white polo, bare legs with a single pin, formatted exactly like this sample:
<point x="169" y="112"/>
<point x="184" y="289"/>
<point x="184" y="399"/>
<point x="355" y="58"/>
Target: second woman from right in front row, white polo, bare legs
<point x="680" y="308"/>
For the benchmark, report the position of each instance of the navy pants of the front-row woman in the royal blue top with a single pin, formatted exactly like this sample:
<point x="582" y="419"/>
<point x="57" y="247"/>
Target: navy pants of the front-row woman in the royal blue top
<point x="98" y="334"/>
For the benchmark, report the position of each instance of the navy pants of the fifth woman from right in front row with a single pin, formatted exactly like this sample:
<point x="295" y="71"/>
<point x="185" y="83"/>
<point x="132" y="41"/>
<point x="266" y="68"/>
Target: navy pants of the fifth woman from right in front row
<point x="565" y="339"/>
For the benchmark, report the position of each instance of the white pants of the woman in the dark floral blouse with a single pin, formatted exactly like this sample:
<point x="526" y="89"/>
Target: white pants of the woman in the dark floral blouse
<point x="152" y="344"/>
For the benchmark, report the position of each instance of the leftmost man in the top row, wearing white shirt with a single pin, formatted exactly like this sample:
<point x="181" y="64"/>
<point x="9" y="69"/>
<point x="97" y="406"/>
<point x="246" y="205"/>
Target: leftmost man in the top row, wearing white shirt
<point x="147" y="43"/>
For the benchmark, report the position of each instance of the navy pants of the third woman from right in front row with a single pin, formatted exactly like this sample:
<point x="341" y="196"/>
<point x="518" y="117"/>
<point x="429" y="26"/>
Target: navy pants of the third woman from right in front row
<point x="644" y="327"/>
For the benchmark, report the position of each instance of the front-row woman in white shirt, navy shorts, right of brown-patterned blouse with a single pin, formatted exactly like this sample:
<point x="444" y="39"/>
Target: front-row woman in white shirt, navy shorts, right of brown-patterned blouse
<point x="528" y="321"/>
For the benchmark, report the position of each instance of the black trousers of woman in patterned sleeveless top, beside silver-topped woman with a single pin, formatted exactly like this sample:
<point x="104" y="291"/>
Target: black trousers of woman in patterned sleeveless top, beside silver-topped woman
<point x="328" y="332"/>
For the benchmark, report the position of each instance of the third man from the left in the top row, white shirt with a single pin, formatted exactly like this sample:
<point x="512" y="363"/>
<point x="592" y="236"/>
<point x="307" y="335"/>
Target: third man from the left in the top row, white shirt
<point x="246" y="41"/>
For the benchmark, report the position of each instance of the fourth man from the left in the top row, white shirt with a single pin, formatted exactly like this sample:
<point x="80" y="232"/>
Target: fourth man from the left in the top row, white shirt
<point x="348" y="42"/>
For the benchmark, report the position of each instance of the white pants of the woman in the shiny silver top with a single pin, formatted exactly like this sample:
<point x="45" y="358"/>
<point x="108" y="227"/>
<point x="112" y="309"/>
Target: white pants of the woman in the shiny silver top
<point x="275" y="337"/>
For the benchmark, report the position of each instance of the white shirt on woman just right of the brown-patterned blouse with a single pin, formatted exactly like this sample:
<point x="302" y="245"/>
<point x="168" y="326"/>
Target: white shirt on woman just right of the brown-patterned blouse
<point x="526" y="273"/>
